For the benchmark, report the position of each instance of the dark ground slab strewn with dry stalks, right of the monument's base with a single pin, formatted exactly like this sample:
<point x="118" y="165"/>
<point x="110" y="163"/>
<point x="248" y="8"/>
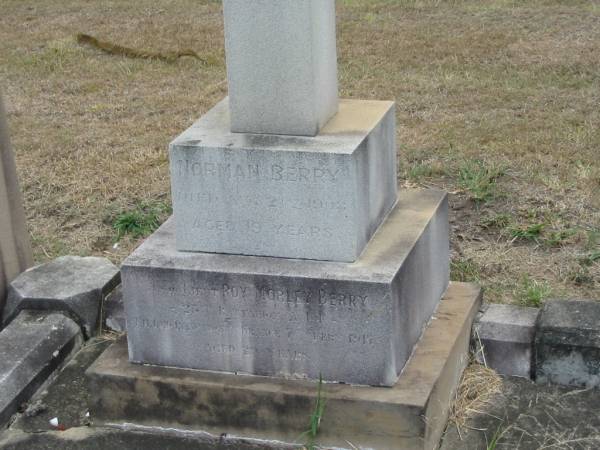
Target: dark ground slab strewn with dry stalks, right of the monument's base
<point x="529" y="416"/>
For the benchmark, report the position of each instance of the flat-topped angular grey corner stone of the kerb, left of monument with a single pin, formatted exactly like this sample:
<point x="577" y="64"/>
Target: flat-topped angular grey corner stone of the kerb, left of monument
<point x="71" y="284"/>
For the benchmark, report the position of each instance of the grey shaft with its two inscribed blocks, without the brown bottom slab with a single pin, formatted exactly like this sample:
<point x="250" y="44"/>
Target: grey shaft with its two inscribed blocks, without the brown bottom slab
<point x="288" y="255"/>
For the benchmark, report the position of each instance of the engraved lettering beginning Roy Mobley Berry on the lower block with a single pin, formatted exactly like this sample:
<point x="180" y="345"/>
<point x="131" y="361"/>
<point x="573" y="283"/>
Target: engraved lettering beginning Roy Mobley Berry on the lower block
<point x="272" y="322"/>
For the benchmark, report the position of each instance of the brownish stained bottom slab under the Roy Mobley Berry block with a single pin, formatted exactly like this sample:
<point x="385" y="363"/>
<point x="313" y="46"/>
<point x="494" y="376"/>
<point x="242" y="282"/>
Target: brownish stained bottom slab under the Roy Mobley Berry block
<point x="410" y="415"/>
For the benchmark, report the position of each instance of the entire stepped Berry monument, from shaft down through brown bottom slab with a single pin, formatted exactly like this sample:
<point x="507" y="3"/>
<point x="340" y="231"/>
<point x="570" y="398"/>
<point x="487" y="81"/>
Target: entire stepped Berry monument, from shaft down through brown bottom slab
<point x="291" y="257"/>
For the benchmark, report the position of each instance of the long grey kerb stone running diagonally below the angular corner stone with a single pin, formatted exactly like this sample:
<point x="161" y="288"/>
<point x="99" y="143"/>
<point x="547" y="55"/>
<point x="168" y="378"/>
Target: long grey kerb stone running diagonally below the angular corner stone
<point x="31" y="347"/>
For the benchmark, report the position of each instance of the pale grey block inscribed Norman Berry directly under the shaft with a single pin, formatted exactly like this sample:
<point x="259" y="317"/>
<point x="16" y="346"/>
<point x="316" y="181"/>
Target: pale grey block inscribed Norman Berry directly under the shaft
<point x="287" y="196"/>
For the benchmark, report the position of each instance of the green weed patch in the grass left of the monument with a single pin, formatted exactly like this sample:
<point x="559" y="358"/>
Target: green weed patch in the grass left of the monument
<point x="140" y="221"/>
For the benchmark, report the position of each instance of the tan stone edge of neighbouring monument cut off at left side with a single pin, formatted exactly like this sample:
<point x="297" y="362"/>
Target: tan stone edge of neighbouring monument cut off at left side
<point x="15" y="249"/>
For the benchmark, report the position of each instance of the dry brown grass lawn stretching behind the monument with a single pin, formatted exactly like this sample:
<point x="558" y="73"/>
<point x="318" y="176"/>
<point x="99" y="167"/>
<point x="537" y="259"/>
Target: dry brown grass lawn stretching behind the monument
<point x="513" y="84"/>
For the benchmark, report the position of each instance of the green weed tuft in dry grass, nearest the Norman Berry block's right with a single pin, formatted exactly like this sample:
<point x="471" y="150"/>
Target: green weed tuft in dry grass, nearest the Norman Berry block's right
<point x="479" y="179"/>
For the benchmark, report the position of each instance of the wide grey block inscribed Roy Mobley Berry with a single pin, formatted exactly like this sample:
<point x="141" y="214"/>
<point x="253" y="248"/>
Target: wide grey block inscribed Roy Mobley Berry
<point x="356" y="323"/>
